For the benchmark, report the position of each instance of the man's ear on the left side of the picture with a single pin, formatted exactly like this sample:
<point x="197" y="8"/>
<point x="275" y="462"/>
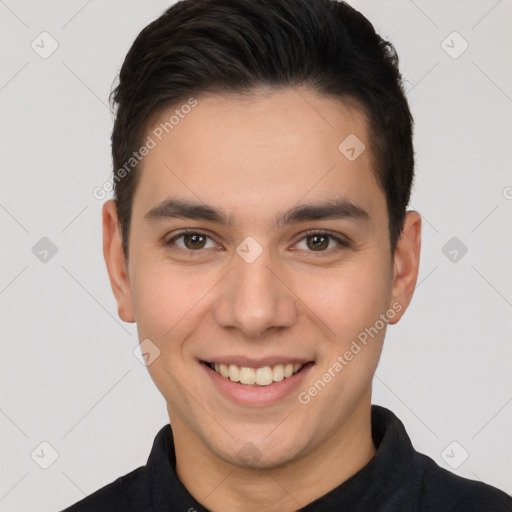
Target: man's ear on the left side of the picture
<point x="115" y="260"/>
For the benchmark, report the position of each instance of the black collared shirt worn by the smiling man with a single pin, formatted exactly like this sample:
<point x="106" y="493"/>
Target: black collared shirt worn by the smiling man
<point x="396" y="479"/>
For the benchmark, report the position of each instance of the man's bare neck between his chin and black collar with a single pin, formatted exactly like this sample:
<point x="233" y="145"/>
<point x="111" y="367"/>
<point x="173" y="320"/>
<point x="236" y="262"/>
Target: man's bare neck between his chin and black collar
<point x="221" y="486"/>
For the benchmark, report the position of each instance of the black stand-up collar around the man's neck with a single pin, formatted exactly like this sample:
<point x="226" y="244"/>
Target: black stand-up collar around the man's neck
<point x="394" y="473"/>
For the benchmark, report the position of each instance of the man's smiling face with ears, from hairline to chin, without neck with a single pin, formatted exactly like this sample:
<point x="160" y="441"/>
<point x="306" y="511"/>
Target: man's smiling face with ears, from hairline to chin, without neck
<point x="260" y="269"/>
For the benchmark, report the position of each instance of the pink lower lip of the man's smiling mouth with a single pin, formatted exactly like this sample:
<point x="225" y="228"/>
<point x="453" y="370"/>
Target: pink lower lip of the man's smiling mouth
<point x="257" y="395"/>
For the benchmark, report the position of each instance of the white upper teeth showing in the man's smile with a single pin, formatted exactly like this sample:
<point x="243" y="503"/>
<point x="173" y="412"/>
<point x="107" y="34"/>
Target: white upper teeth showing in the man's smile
<point x="261" y="376"/>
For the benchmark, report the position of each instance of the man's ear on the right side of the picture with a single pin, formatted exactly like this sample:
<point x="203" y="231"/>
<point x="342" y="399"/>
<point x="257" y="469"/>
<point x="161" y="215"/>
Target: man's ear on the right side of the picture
<point x="406" y="262"/>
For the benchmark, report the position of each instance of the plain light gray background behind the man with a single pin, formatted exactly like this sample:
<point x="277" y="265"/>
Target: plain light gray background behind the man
<point x="68" y="373"/>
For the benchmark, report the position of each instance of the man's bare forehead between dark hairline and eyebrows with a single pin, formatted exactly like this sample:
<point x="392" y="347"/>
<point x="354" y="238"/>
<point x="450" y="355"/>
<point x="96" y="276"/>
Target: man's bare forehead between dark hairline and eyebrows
<point x="260" y="150"/>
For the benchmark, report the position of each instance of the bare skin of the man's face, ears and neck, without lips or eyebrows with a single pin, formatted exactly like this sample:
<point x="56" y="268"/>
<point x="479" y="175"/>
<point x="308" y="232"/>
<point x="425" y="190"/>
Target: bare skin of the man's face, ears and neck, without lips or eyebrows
<point x="253" y="157"/>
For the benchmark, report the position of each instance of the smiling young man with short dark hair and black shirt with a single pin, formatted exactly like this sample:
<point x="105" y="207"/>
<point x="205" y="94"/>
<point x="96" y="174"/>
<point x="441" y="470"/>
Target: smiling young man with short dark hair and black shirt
<point x="260" y="240"/>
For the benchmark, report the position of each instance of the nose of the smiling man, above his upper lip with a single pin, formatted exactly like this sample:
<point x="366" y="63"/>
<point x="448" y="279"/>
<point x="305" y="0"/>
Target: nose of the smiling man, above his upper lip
<point x="255" y="299"/>
